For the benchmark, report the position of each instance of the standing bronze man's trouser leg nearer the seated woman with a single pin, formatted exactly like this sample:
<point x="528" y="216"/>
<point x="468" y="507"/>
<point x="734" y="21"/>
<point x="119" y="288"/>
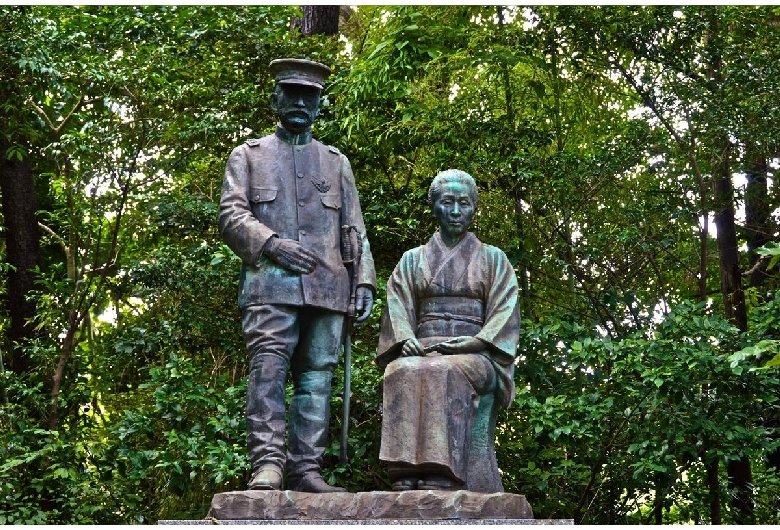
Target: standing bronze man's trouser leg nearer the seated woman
<point x="312" y="370"/>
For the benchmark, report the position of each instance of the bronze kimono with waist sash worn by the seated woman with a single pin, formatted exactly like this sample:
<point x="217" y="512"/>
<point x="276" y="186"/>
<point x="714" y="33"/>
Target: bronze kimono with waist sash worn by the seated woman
<point x="435" y="294"/>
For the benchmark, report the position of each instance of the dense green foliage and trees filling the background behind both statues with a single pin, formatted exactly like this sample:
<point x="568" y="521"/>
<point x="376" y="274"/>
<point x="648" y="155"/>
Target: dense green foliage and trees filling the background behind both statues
<point x="625" y="157"/>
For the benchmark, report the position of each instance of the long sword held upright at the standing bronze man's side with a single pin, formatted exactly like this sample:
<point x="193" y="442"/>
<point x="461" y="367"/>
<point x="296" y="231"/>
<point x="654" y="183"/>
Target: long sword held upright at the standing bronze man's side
<point x="352" y="261"/>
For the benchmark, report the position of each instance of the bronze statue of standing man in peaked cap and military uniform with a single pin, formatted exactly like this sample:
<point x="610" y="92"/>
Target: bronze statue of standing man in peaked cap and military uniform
<point x="286" y="200"/>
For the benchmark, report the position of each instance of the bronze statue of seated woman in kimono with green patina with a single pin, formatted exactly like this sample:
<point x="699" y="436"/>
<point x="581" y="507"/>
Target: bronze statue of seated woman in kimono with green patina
<point x="448" y="340"/>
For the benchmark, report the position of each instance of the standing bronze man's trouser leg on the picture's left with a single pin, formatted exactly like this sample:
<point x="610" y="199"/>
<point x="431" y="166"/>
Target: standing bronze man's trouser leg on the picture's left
<point x="271" y="334"/>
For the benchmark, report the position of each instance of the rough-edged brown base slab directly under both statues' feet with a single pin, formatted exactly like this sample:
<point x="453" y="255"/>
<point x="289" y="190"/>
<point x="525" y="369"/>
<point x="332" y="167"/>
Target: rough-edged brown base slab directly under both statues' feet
<point x="421" y="505"/>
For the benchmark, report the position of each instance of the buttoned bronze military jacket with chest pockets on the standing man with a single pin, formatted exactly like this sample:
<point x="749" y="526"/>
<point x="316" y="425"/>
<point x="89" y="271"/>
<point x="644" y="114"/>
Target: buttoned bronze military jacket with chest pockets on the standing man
<point x="301" y="192"/>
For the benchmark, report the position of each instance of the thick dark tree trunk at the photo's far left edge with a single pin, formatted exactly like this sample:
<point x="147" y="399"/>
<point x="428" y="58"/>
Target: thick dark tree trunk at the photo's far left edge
<point x="22" y="244"/>
